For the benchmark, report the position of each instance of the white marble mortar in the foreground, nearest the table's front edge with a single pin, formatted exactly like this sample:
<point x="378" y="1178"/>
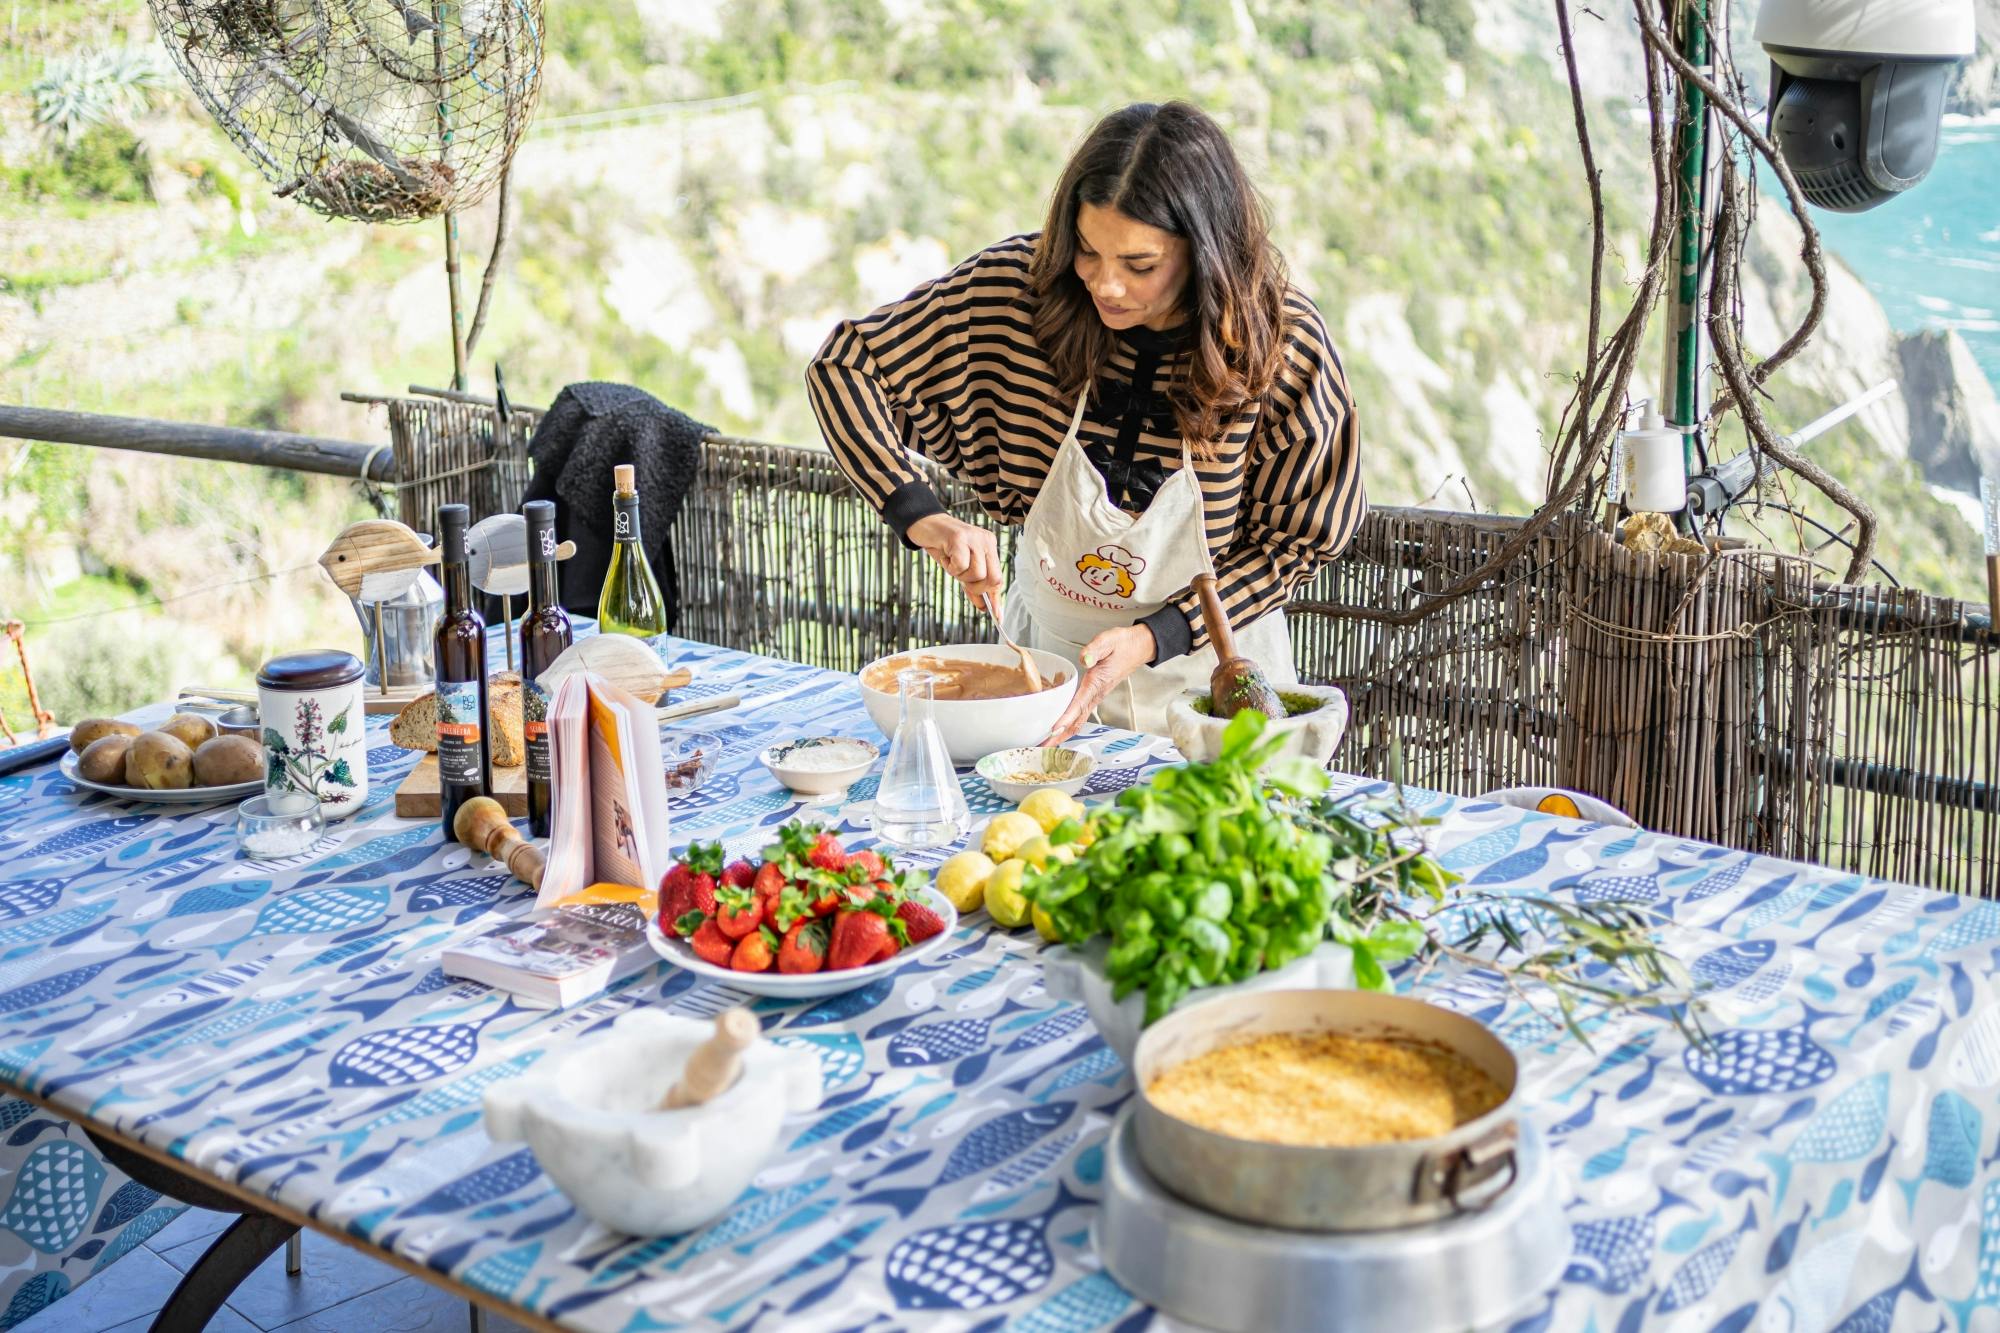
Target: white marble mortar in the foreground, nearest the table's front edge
<point x="591" y="1114"/>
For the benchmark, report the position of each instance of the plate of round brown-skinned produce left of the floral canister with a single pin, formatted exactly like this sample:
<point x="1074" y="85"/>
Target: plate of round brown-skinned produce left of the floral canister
<point x="183" y="762"/>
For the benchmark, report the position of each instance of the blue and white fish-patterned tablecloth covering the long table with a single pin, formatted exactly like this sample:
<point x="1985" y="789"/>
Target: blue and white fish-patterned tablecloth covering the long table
<point x="285" y="1026"/>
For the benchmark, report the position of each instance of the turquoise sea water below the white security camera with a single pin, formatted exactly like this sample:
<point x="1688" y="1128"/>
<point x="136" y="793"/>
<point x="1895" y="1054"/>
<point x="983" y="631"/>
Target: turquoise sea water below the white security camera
<point x="1933" y="255"/>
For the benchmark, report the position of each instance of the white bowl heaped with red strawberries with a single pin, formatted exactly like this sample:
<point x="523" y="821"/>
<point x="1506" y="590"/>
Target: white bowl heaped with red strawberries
<point x="809" y="920"/>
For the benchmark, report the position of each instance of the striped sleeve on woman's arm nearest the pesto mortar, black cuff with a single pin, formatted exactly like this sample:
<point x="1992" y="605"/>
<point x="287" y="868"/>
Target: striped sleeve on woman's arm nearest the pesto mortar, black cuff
<point x="1303" y="487"/>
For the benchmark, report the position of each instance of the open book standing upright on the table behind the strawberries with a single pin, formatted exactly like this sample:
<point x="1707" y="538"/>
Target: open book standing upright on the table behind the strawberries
<point x="609" y="824"/>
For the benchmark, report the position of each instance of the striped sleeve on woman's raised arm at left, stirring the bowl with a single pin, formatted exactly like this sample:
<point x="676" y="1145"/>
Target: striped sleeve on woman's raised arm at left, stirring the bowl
<point x="881" y="387"/>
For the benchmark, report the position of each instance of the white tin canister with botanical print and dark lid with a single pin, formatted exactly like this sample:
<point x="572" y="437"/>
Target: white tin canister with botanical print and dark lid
<point x="315" y="730"/>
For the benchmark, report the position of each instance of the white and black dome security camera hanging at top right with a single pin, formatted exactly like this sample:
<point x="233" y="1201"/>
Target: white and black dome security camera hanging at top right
<point x="1859" y="89"/>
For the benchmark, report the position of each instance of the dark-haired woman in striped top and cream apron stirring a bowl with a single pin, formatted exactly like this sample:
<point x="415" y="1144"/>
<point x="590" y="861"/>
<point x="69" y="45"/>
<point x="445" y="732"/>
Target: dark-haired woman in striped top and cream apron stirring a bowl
<point x="1143" y="389"/>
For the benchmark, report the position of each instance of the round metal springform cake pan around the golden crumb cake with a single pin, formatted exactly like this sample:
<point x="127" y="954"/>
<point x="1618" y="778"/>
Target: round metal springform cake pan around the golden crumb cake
<point x="1327" y="1188"/>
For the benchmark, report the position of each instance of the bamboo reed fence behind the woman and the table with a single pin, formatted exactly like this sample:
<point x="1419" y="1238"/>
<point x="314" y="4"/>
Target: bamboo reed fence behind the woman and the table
<point x="1733" y="698"/>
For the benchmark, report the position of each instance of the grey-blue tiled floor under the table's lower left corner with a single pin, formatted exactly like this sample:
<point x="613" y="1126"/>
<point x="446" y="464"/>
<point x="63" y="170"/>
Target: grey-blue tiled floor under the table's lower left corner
<point x="341" y="1292"/>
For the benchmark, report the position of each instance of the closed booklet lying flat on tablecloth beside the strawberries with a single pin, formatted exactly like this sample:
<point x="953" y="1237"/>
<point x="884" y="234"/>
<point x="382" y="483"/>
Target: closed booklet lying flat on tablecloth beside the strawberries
<point x="569" y="956"/>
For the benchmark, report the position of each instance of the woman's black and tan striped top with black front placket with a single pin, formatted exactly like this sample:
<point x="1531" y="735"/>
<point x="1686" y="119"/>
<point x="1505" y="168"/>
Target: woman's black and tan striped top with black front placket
<point x="953" y="373"/>
